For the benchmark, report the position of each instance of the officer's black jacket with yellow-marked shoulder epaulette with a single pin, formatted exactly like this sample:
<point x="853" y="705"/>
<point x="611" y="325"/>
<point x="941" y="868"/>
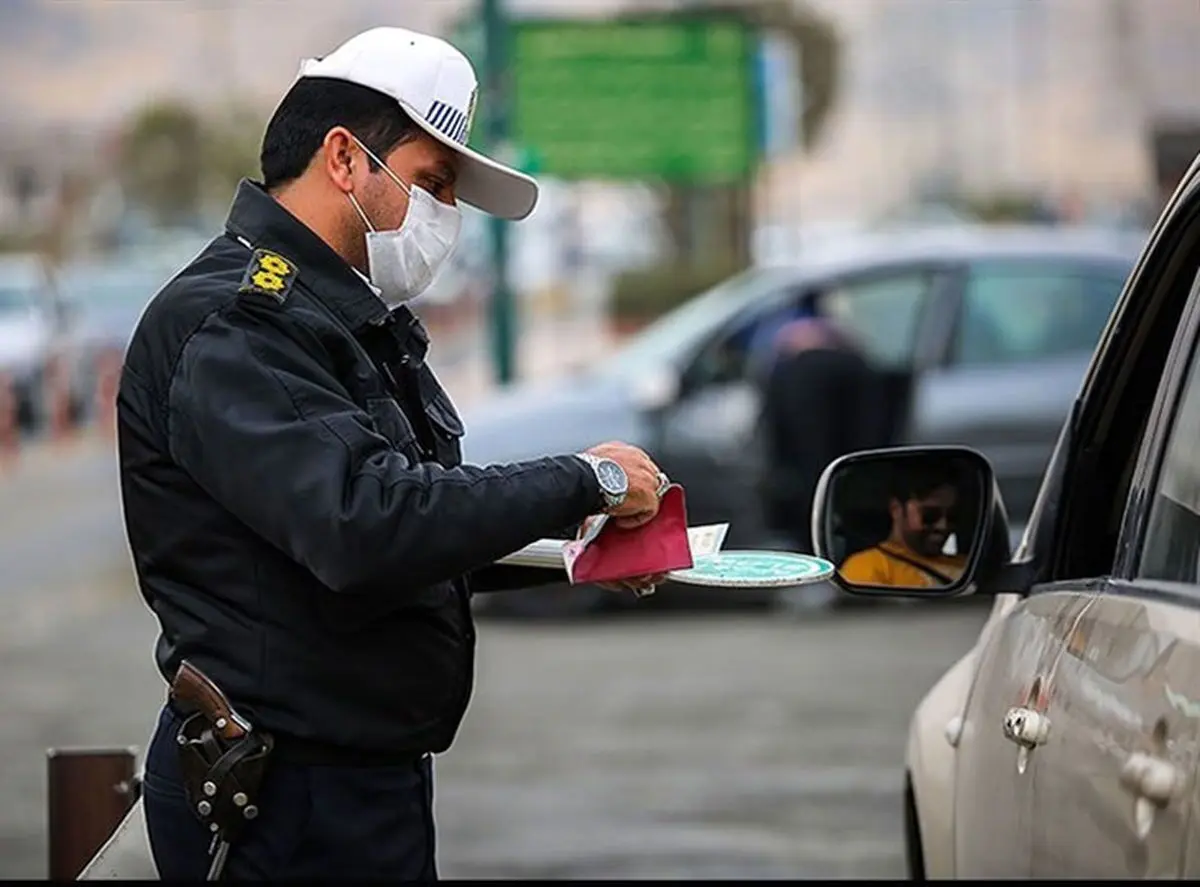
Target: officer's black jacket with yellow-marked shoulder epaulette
<point x="295" y="499"/>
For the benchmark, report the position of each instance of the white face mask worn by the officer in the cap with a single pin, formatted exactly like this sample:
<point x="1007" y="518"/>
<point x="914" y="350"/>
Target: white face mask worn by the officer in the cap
<point x="403" y="263"/>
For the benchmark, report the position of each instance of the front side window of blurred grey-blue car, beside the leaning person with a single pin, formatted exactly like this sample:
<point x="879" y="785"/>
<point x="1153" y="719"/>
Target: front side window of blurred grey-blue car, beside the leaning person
<point x="883" y="313"/>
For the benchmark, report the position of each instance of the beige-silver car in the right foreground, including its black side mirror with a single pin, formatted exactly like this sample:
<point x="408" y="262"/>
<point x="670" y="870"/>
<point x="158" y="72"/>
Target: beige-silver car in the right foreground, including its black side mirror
<point x="1066" y="745"/>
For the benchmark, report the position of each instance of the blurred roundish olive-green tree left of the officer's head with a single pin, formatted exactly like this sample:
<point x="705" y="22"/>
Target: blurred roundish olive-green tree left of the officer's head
<point x="160" y="163"/>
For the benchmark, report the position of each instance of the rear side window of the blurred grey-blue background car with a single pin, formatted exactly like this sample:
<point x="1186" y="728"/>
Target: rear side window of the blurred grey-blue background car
<point x="1015" y="314"/>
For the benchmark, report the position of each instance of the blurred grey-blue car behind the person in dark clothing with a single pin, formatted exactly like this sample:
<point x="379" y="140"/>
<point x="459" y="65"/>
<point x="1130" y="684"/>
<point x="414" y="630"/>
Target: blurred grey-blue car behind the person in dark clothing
<point x="985" y="333"/>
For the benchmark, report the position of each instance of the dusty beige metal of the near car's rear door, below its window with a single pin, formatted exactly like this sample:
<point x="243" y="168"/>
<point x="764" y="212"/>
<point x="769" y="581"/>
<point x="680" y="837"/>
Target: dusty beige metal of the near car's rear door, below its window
<point x="1129" y="668"/>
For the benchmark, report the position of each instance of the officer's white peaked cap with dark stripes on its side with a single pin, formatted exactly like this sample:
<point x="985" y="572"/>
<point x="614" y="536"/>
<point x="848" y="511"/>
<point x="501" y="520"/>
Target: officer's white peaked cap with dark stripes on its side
<point x="436" y="86"/>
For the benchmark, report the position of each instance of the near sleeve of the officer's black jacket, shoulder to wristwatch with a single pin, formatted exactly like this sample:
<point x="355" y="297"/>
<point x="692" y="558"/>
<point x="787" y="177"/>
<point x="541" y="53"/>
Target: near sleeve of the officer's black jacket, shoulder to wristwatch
<point x="261" y="423"/>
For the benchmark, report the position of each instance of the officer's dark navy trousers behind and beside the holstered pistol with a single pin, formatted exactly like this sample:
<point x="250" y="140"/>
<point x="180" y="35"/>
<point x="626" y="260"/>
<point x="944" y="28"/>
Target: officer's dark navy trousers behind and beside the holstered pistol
<point x="315" y="822"/>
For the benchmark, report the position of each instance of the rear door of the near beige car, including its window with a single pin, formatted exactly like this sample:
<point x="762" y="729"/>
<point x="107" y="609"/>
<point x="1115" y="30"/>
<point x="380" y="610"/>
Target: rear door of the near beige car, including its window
<point x="1113" y="794"/>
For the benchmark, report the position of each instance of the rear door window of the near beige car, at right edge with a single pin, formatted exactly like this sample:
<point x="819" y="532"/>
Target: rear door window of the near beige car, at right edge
<point x="1172" y="548"/>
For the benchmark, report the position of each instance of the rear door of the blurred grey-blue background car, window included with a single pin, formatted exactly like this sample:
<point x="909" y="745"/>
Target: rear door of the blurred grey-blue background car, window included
<point x="1024" y="335"/>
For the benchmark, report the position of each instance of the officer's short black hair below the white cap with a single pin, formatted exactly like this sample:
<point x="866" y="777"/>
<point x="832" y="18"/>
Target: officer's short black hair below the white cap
<point x="315" y="106"/>
